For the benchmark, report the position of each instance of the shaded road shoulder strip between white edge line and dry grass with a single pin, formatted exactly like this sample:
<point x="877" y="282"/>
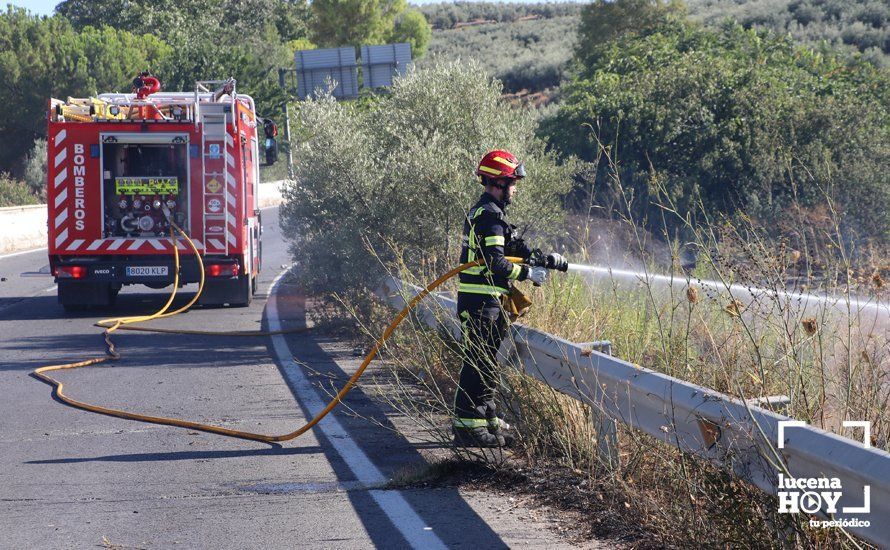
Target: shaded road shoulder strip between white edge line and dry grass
<point x="403" y="454"/>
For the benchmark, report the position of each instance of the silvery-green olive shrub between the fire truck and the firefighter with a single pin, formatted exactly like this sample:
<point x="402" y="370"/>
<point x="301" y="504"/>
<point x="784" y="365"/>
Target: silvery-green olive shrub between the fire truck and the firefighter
<point x="397" y="173"/>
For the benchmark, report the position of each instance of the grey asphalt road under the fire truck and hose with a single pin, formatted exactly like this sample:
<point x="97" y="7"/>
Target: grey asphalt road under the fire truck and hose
<point x="73" y="479"/>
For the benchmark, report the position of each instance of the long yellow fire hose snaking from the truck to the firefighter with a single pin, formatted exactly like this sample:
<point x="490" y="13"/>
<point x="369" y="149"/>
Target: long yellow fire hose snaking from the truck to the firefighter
<point x="112" y="325"/>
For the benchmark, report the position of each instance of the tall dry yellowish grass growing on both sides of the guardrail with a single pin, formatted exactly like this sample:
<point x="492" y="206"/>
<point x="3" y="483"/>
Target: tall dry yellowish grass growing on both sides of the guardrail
<point x="832" y="361"/>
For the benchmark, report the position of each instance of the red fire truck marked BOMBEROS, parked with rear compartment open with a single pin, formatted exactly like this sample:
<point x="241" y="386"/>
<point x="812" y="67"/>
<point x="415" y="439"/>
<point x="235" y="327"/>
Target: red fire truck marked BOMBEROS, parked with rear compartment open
<point x="122" y="166"/>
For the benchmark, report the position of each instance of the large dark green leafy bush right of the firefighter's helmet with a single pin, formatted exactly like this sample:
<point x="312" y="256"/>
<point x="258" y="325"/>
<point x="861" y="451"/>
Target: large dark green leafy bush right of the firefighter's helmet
<point x="737" y="120"/>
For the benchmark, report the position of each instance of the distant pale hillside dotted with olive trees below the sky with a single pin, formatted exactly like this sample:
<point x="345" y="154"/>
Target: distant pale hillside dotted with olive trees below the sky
<point x="528" y="46"/>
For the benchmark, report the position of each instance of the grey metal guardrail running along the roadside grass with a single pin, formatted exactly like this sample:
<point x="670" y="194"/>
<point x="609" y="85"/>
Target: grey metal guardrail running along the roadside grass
<point x="737" y="436"/>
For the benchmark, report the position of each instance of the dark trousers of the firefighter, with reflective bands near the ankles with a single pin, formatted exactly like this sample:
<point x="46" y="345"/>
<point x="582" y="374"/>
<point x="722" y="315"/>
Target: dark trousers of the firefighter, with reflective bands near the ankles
<point x="484" y="327"/>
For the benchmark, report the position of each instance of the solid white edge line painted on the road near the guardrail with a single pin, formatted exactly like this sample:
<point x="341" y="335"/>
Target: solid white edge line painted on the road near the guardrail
<point x="412" y="527"/>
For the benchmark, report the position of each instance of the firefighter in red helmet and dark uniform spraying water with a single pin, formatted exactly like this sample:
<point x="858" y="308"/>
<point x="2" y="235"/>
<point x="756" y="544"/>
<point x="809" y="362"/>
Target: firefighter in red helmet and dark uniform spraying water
<point x="483" y="293"/>
